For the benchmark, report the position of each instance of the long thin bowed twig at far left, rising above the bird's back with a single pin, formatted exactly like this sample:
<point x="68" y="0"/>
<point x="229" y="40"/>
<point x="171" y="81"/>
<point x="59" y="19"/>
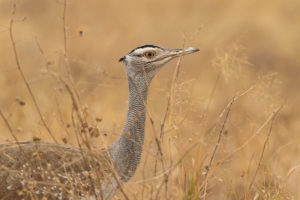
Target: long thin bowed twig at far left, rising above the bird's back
<point x="23" y="76"/>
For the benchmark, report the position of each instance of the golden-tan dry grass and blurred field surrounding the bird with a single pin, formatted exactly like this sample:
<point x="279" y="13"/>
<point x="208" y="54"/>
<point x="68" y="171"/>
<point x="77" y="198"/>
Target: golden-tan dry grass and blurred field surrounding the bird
<point x="226" y="123"/>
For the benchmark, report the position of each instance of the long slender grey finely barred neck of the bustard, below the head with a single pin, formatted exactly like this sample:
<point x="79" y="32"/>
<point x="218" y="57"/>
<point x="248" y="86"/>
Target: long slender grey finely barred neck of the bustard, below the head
<point x="127" y="150"/>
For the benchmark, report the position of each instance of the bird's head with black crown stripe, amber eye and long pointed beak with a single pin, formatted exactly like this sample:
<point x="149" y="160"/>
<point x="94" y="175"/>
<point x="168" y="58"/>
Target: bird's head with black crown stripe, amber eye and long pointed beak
<point x="147" y="59"/>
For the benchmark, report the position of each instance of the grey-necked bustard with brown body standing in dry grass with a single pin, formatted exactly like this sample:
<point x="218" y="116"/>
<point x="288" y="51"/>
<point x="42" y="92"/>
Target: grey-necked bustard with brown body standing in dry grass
<point x="39" y="170"/>
